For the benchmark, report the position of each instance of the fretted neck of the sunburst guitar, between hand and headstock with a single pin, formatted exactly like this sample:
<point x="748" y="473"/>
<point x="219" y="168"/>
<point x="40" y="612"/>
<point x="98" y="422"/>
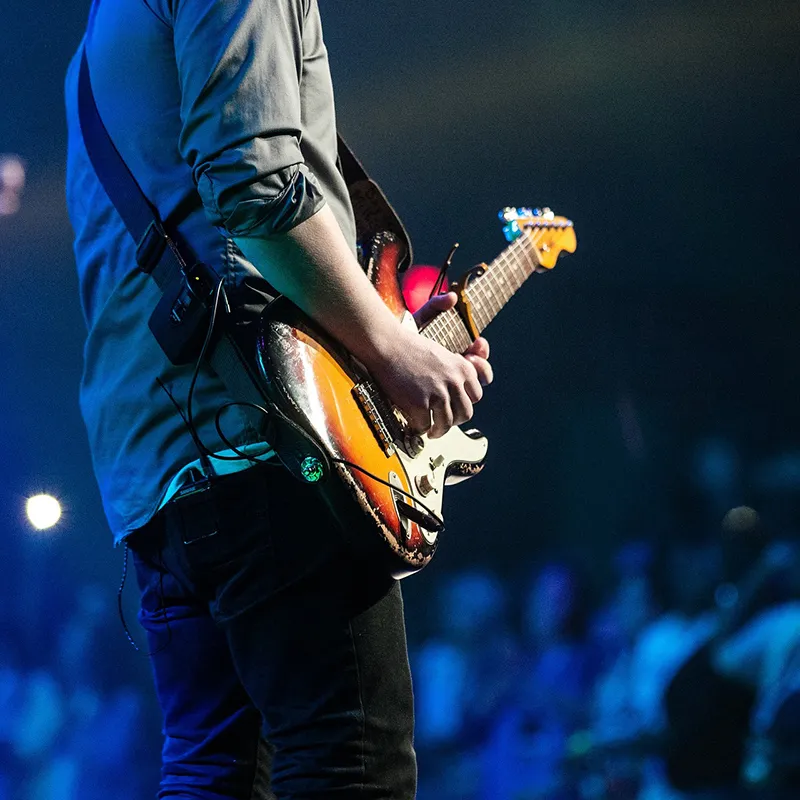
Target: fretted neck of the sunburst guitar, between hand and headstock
<point x="488" y="293"/>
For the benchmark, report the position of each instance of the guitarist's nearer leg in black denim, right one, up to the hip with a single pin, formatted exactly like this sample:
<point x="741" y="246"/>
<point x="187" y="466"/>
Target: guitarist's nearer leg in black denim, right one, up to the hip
<point x="317" y="636"/>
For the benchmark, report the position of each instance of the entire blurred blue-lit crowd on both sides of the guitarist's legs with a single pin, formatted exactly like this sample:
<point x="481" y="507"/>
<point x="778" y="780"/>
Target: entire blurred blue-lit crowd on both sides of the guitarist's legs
<point x="669" y="672"/>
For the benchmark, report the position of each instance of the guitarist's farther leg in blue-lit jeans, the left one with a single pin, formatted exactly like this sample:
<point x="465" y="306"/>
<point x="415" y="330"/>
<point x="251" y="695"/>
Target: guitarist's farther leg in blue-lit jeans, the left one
<point x="212" y="747"/>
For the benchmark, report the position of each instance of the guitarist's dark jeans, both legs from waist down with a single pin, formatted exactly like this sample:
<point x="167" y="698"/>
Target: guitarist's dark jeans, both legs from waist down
<point x="271" y="629"/>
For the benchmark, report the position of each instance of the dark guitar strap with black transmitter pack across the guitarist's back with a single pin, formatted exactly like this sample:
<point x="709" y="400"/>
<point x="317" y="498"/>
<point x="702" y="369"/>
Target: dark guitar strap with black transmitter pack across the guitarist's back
<point x="181" y="318"/>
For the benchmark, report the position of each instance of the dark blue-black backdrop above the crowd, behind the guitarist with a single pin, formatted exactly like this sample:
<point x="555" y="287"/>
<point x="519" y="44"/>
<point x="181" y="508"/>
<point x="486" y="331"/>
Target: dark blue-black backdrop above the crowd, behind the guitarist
<point x="667" y="131"/>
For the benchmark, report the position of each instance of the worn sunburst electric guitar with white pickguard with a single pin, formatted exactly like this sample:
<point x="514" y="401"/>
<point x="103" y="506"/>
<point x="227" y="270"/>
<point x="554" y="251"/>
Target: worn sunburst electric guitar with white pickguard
<point x="388" y="481"/>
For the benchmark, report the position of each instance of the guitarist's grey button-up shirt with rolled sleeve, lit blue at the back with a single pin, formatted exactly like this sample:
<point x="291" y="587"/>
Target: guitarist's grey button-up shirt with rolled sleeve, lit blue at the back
<point x="231" y="100"/>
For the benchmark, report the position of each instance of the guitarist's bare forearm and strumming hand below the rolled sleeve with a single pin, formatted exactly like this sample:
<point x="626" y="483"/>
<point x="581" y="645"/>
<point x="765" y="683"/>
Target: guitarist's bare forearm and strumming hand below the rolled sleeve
<point x="315" y="268"/>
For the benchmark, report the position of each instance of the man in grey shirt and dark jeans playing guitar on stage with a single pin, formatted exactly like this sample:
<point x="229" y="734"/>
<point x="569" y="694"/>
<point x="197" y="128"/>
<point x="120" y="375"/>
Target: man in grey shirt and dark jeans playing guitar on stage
<point x="258" y="619"/>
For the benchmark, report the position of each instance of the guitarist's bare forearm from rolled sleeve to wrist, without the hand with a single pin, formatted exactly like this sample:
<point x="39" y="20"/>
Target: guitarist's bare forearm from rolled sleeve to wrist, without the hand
<point x="314" y="267"/>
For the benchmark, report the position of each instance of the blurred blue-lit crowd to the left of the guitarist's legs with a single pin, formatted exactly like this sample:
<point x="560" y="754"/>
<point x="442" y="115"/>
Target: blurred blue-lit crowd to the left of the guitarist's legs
<point x="69" y="725"/>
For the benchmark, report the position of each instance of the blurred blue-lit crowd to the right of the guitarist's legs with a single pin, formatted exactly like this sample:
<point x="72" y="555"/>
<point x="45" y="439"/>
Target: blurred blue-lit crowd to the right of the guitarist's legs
<point x="698" y="628"/>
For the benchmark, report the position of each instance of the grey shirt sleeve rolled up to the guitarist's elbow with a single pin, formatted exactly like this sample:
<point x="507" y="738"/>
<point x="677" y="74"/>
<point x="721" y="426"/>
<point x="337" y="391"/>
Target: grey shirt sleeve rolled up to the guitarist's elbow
<point x="239" y="65"/>
